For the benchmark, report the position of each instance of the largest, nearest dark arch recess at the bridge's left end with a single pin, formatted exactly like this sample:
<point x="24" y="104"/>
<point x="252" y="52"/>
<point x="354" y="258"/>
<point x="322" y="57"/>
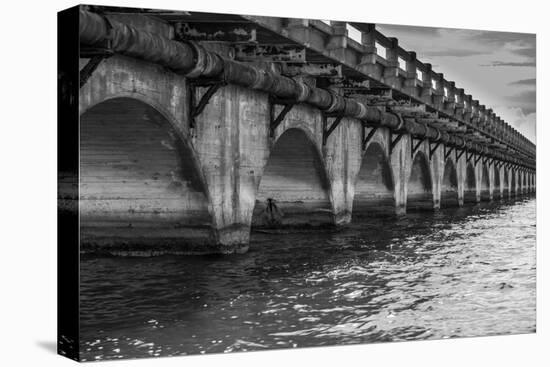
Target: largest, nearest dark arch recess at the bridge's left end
<point x="140" y="186"/>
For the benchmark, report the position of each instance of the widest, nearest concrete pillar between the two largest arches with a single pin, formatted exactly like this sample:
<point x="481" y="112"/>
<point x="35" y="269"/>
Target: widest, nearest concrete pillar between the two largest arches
<point x="232" y="140"/>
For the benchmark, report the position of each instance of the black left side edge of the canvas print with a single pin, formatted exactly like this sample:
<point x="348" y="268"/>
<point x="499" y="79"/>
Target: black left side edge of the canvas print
<point x="68" y="178"/>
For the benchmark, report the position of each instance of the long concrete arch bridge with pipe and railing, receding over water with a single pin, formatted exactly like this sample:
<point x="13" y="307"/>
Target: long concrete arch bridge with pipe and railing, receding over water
<point x="196" y="127"/>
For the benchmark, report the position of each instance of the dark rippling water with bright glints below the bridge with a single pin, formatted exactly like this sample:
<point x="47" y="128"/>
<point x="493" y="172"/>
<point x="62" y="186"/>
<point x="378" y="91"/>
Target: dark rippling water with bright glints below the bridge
<point x="456" y="273"/>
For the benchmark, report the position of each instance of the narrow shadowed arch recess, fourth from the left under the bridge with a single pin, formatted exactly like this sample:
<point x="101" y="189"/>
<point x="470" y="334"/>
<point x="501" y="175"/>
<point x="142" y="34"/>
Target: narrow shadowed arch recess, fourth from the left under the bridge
<point x="419" y="186"/>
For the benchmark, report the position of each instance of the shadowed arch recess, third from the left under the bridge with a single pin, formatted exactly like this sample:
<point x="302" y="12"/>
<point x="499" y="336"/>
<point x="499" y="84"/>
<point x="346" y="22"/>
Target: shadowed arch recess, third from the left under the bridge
<point x="374" y="185"/>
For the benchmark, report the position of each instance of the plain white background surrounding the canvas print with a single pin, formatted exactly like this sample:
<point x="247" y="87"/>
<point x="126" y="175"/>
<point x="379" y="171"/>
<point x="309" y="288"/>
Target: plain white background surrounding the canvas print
<point x="28" y="183"/>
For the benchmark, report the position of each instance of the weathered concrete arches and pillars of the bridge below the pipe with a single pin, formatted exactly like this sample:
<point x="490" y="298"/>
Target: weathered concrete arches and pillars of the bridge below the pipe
<point x="152" y="184"/>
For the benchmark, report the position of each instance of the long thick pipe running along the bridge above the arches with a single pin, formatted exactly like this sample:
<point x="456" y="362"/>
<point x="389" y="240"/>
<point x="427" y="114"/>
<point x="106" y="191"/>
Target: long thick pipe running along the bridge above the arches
<point x="192" y="60"/>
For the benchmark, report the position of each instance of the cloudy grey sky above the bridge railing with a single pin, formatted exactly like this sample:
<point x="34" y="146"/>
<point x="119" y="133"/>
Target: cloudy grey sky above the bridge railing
<point x="496" y="68"/>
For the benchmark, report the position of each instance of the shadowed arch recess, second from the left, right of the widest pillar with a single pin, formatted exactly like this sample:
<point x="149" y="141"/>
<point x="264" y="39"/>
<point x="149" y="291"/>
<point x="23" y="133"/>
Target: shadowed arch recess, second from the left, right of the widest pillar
<point x="294" y="189"/>
